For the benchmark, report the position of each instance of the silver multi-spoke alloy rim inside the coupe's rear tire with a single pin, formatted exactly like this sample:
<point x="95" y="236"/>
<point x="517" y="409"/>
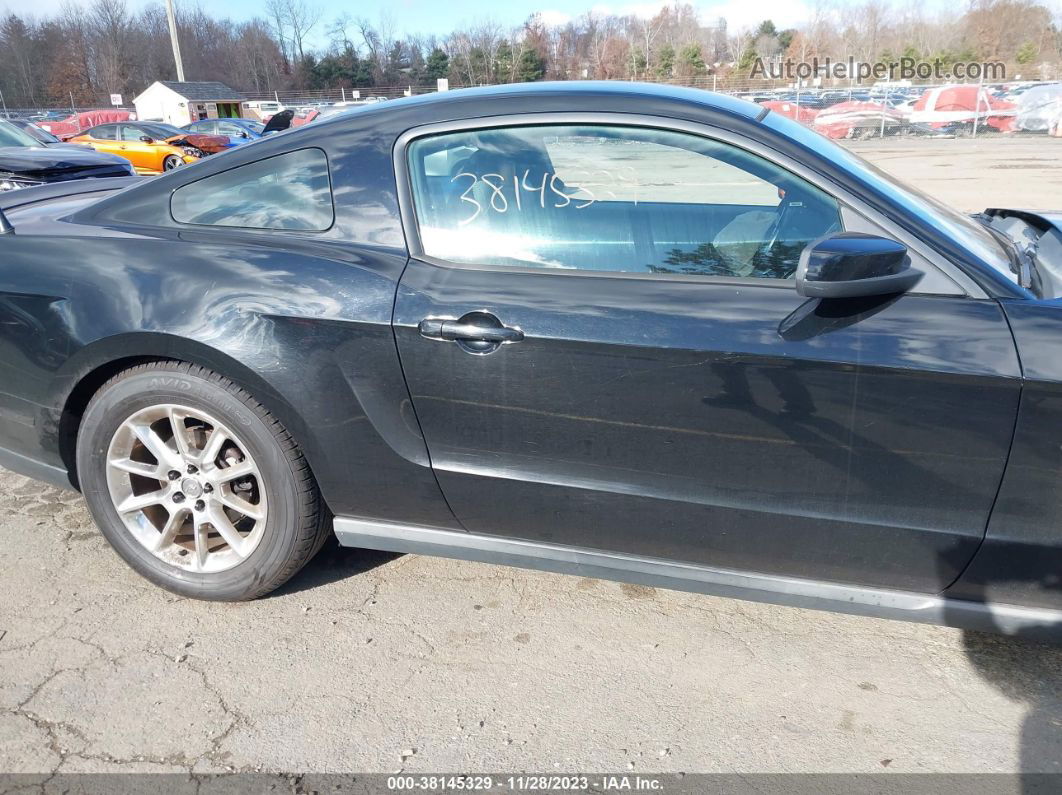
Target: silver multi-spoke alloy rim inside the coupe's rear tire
<point x="187" y="489"/>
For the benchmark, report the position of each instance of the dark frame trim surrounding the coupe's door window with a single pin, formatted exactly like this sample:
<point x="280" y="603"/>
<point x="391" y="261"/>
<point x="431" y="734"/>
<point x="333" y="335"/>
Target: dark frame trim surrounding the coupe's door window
<point x="848" y="201"/>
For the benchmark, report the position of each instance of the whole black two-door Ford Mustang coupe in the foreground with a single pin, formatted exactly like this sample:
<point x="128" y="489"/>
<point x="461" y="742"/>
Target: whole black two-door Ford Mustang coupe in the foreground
<point x="644" y="334"/>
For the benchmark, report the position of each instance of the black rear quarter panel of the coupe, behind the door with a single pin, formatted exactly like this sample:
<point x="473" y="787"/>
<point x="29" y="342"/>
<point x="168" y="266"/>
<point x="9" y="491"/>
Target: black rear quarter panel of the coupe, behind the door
<point x="302" y="322"/>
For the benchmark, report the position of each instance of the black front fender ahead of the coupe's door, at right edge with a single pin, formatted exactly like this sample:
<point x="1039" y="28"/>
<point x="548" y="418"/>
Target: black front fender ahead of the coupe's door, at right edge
<point x="1021" y="561"/>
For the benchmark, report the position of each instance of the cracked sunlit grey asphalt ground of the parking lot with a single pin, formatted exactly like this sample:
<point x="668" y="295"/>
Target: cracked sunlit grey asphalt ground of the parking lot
<point x="369" y="662"/>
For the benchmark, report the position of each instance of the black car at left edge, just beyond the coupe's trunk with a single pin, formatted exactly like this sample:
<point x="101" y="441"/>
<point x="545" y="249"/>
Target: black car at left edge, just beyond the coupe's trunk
<point x="26" y="163"/>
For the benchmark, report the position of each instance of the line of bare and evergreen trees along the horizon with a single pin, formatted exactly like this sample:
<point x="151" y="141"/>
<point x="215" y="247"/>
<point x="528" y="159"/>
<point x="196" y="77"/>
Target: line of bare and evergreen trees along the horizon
<point x="85" y="53"/>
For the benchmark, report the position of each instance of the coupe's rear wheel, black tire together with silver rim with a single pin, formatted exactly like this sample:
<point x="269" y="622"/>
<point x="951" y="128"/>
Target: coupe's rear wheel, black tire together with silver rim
<point x="282" y="521"/>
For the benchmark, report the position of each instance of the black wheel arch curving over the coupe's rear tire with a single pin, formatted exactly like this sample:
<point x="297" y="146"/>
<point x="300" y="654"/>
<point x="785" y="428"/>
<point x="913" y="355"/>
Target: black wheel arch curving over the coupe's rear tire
<point x="97" y="364"/>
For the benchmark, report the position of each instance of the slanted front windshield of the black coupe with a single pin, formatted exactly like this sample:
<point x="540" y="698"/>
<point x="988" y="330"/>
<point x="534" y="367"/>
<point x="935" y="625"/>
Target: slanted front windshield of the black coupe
<point x="954" y="224"/>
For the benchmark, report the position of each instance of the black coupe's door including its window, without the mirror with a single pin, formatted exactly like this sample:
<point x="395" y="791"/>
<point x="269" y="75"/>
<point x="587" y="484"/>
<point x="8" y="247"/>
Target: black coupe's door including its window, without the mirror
<point x="606" y="350"/>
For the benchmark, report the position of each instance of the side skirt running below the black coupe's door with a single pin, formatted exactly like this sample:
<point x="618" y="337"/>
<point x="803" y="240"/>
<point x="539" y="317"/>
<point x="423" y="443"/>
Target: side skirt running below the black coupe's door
<point x="899" y="606"/>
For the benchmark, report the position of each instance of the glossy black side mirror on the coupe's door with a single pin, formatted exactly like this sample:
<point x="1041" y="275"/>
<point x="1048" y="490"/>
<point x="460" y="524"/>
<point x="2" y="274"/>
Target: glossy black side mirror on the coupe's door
<point x="852" y="266"/>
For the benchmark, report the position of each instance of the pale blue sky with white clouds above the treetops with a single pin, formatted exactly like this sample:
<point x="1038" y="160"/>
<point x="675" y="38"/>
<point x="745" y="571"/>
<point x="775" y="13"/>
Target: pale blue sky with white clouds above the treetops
<point x="433" y="16"/>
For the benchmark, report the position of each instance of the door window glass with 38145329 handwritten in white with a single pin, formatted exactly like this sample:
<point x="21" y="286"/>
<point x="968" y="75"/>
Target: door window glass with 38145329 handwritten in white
<point x="612" y="199"/>
